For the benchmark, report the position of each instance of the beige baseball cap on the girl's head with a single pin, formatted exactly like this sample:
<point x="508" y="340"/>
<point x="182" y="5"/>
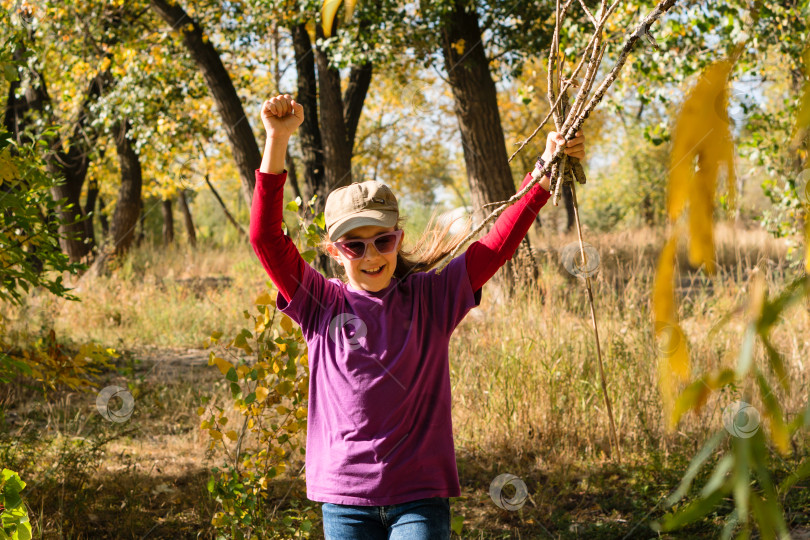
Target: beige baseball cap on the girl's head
<point x="358" y="205"/>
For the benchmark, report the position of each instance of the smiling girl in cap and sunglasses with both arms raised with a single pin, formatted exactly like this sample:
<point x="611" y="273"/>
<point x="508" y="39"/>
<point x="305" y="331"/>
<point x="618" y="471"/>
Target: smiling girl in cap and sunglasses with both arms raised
<point x="379" y="451"/>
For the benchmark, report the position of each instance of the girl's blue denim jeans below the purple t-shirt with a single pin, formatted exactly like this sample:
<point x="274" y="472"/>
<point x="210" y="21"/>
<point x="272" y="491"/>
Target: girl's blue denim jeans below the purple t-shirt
<point x="424" y="519"/>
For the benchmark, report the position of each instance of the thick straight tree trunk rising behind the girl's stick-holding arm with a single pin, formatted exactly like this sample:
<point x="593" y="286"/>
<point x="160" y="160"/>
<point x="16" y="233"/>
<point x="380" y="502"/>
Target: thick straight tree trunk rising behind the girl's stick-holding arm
<point x="482" y="138"/>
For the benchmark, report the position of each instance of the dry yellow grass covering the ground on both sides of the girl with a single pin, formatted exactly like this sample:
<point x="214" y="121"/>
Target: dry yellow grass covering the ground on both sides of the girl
<point x="526" y="391"/>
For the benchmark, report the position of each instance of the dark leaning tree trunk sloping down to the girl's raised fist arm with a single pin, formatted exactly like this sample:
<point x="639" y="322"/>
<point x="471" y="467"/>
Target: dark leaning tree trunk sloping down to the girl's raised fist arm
<point x="243" y="143"/>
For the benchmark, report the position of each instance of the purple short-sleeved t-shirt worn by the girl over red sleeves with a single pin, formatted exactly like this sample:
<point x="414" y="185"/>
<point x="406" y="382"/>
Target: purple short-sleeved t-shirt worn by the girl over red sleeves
<point x="379" y="428"/>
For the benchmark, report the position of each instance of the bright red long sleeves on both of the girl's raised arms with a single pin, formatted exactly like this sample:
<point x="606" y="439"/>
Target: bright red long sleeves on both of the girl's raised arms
<point x="283" y="263"/>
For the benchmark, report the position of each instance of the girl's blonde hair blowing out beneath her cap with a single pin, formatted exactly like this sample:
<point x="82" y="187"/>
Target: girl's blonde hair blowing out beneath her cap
<point x="430" y="249"/>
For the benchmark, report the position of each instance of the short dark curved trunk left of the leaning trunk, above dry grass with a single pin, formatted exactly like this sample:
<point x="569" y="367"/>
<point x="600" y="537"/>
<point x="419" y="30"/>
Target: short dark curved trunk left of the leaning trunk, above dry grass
<point x="129" y="205"/>
